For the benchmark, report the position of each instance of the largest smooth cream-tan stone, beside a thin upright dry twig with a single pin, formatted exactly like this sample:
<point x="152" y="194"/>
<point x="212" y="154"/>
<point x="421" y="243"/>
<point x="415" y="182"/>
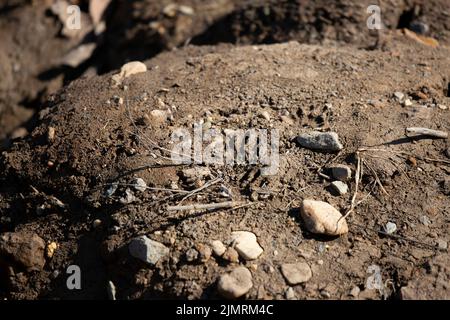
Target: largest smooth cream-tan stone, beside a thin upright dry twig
<point x="322" y="218"/>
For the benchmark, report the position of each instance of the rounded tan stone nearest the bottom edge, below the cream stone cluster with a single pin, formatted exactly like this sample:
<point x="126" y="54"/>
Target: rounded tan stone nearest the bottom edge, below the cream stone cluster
<point x="235" y="284"/>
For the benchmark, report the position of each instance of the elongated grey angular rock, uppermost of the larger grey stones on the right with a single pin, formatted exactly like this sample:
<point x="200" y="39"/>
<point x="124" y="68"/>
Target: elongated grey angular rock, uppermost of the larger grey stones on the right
<point x="325" y="141"/>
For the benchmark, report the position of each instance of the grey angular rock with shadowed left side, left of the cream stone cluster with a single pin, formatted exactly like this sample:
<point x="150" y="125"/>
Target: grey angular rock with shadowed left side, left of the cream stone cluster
<point x="147" y="250"/>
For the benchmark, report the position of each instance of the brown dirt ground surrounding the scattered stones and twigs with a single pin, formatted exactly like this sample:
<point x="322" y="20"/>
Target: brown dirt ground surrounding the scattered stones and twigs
<point x="69" y="134"/>
